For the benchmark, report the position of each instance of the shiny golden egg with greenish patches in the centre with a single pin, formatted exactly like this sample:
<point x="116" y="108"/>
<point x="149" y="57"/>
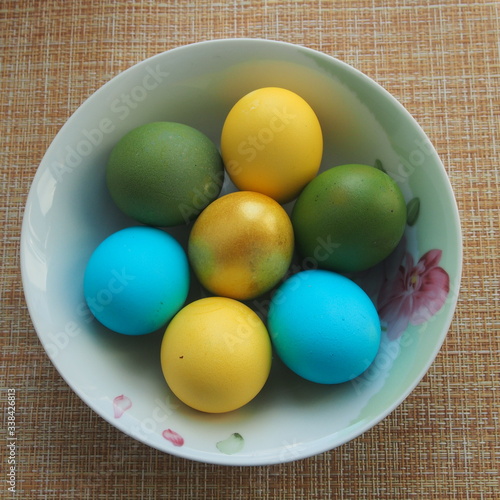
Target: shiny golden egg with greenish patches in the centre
<point x="241" y="245"/>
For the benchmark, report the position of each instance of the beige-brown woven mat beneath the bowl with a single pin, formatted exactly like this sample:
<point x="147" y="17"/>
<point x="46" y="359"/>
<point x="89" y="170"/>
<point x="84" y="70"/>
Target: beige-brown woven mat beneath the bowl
<point x="441" y="60"/>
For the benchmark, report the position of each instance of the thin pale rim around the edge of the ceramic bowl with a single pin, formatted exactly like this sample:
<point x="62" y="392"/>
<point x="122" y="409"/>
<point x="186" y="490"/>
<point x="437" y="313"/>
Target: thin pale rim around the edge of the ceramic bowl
<point x="318" y="446"/>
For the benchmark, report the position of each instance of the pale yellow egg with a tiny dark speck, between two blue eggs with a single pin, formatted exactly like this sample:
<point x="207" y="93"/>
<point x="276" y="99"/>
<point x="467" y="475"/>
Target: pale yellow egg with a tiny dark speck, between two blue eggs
<point x="216" y="354"/>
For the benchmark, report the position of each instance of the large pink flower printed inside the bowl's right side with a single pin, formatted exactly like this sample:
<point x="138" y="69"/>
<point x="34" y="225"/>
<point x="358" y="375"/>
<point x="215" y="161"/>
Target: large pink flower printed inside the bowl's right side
<point x="415" y="293"/>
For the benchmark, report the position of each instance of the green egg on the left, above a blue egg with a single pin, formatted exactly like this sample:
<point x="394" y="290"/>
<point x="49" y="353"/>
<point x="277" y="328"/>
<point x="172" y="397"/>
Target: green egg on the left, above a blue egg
<point x="164" y="173"/>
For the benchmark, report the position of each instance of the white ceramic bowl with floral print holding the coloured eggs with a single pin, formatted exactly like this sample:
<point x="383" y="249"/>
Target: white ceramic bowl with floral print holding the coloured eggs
<point x="69" y="212"/>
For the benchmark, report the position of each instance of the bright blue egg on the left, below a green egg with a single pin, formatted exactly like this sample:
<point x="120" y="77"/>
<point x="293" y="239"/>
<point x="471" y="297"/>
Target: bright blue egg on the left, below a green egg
<point x="136" y="280"/>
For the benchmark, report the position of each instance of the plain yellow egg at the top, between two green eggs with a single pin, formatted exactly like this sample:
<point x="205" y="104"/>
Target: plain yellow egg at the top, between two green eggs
<point x="272" y="143"/>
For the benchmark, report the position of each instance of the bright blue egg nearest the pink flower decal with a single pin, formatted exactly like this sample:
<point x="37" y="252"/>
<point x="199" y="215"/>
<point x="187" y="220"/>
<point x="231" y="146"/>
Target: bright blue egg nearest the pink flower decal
<point x="324" y="327"/>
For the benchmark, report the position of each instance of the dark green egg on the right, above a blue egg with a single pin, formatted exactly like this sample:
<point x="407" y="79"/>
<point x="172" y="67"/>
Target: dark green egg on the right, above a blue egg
<point x="349" y="218"/>
